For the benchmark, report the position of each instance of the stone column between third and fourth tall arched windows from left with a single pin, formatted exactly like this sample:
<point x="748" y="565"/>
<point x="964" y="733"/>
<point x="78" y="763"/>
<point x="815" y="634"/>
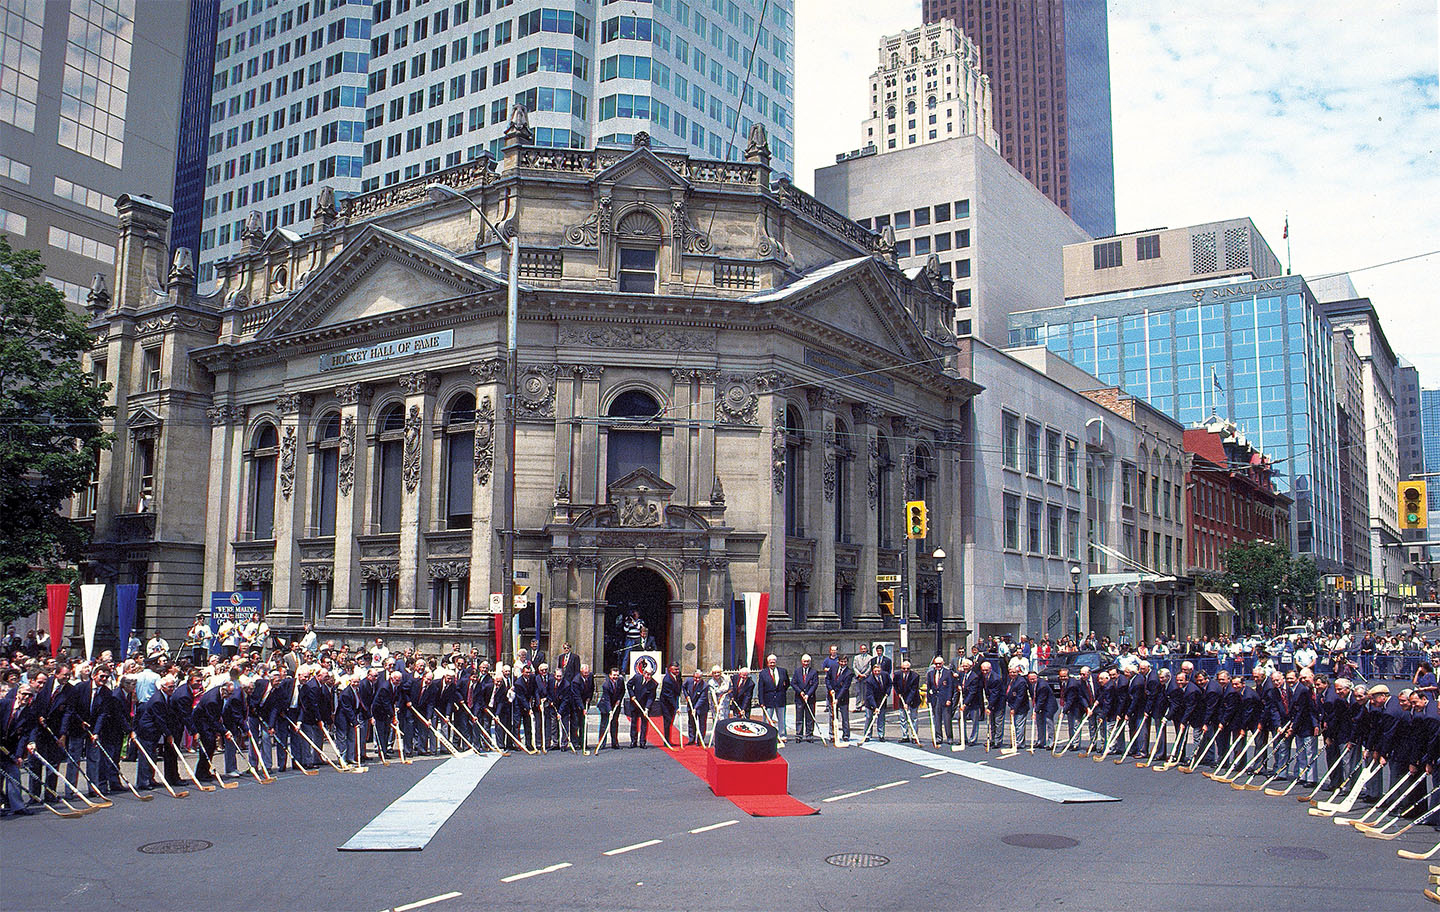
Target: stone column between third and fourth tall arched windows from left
<point x="417" y="475"/>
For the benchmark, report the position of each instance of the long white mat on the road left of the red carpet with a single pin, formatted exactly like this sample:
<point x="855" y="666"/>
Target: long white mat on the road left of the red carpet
<point x="417" y="816"/>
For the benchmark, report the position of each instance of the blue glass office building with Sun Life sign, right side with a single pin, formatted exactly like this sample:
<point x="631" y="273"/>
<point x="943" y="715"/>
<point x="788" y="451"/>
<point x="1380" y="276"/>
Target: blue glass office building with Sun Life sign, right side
<point x="1256" y="352"/>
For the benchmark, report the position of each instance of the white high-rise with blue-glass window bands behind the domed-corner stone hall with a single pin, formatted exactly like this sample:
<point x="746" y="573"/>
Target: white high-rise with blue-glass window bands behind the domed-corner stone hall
<point x="366" y="94"/>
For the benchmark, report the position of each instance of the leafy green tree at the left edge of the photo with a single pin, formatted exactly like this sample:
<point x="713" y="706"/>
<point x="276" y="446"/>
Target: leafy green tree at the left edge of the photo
<point x="51" y="433"/>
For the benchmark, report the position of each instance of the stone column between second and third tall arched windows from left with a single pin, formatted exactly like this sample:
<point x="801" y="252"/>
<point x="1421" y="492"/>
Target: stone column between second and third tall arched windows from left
<point x="351" y="498"/>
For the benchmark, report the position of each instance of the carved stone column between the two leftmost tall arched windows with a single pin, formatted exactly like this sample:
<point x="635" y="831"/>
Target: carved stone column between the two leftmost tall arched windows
<point x="290" y="508"/>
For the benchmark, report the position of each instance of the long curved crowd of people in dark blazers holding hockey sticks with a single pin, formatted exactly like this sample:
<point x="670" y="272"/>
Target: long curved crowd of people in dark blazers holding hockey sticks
<point x="67" y="730"/>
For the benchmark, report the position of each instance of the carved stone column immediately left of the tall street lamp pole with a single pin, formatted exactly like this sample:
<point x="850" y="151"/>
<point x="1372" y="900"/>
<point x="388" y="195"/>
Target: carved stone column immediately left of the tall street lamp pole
<point x="485" y="545"/>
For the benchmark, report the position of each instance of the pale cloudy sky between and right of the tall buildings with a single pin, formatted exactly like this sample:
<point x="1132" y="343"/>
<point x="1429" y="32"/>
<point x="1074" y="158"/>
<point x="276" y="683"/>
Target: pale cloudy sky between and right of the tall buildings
<point x="1323" y="112"/>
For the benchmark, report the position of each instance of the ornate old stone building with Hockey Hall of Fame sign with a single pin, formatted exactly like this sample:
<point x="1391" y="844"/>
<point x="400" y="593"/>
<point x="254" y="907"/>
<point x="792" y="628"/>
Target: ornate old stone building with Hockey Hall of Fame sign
<point x="724" y="388"/>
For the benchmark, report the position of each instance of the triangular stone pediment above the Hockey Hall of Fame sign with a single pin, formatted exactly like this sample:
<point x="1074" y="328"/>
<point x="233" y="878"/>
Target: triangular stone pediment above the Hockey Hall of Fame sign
<point x="379" y="273"/>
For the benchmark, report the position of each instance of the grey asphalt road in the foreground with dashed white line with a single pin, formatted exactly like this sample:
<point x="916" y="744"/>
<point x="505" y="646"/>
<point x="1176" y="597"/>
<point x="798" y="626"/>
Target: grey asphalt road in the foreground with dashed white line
<point x="1173" y="842"/>
